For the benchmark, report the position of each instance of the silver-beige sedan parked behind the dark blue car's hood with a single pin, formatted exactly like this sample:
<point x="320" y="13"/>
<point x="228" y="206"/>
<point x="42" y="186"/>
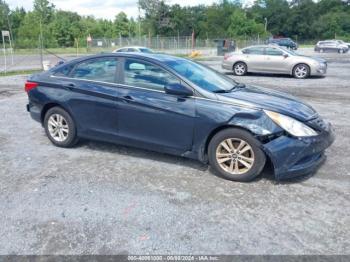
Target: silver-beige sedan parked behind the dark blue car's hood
<point x="273" y="59"/>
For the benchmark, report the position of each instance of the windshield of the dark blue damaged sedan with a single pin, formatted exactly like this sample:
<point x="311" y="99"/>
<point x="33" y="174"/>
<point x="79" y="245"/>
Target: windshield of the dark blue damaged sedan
<point x="202" y="76"/>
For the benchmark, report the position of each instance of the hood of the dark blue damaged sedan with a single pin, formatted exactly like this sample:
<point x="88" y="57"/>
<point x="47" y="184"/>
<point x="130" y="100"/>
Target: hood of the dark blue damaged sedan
<point x="258" y="97"/>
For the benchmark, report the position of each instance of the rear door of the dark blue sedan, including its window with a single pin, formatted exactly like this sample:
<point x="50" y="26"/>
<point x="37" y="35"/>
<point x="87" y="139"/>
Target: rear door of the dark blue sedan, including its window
<point x="94" y="95"/>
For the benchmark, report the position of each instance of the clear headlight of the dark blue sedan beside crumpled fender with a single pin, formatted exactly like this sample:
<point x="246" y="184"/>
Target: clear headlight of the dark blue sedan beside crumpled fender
<point x="292" y="126"/>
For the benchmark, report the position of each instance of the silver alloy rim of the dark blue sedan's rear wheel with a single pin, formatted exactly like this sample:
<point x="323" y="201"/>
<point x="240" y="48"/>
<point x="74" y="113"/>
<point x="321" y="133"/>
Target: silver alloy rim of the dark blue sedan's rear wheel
<point x="58" y="127"/>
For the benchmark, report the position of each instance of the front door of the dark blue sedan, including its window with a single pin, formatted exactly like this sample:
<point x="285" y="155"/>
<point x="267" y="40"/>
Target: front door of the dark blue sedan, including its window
<point x="149" y="117"/>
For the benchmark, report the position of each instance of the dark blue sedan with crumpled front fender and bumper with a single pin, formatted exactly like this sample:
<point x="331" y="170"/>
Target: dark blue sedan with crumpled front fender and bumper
<point x="177" y="106"/>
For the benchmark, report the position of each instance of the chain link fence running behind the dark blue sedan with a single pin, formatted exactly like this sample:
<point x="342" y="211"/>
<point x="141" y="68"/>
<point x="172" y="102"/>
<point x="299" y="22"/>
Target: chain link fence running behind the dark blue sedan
<point x="36" y="58"/>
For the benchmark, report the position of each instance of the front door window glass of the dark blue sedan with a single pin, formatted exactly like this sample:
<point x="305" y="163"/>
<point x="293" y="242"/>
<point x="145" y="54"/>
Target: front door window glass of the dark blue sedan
<point x="142" y="74"/>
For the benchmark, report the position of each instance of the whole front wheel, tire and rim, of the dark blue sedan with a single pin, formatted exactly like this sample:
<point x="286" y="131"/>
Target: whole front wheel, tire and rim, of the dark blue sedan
<point x="234" y="167"/>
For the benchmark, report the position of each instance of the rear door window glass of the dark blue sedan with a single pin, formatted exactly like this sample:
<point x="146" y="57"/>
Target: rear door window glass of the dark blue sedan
<point x="99" y="69"/>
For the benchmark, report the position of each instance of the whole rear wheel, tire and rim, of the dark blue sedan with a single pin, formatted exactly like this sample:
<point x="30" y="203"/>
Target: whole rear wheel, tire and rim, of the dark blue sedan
<point x="60" y="127"/>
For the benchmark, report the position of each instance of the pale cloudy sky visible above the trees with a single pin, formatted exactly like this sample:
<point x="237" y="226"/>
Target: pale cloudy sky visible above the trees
<point x="106" y="8"/>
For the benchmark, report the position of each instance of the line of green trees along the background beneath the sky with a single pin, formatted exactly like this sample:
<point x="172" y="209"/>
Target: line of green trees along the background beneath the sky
<point x="298" y="19"/>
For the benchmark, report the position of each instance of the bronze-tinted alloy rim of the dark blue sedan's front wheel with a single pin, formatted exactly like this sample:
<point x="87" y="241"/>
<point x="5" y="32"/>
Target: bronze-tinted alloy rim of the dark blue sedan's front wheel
<point x="235" y="156"/>
